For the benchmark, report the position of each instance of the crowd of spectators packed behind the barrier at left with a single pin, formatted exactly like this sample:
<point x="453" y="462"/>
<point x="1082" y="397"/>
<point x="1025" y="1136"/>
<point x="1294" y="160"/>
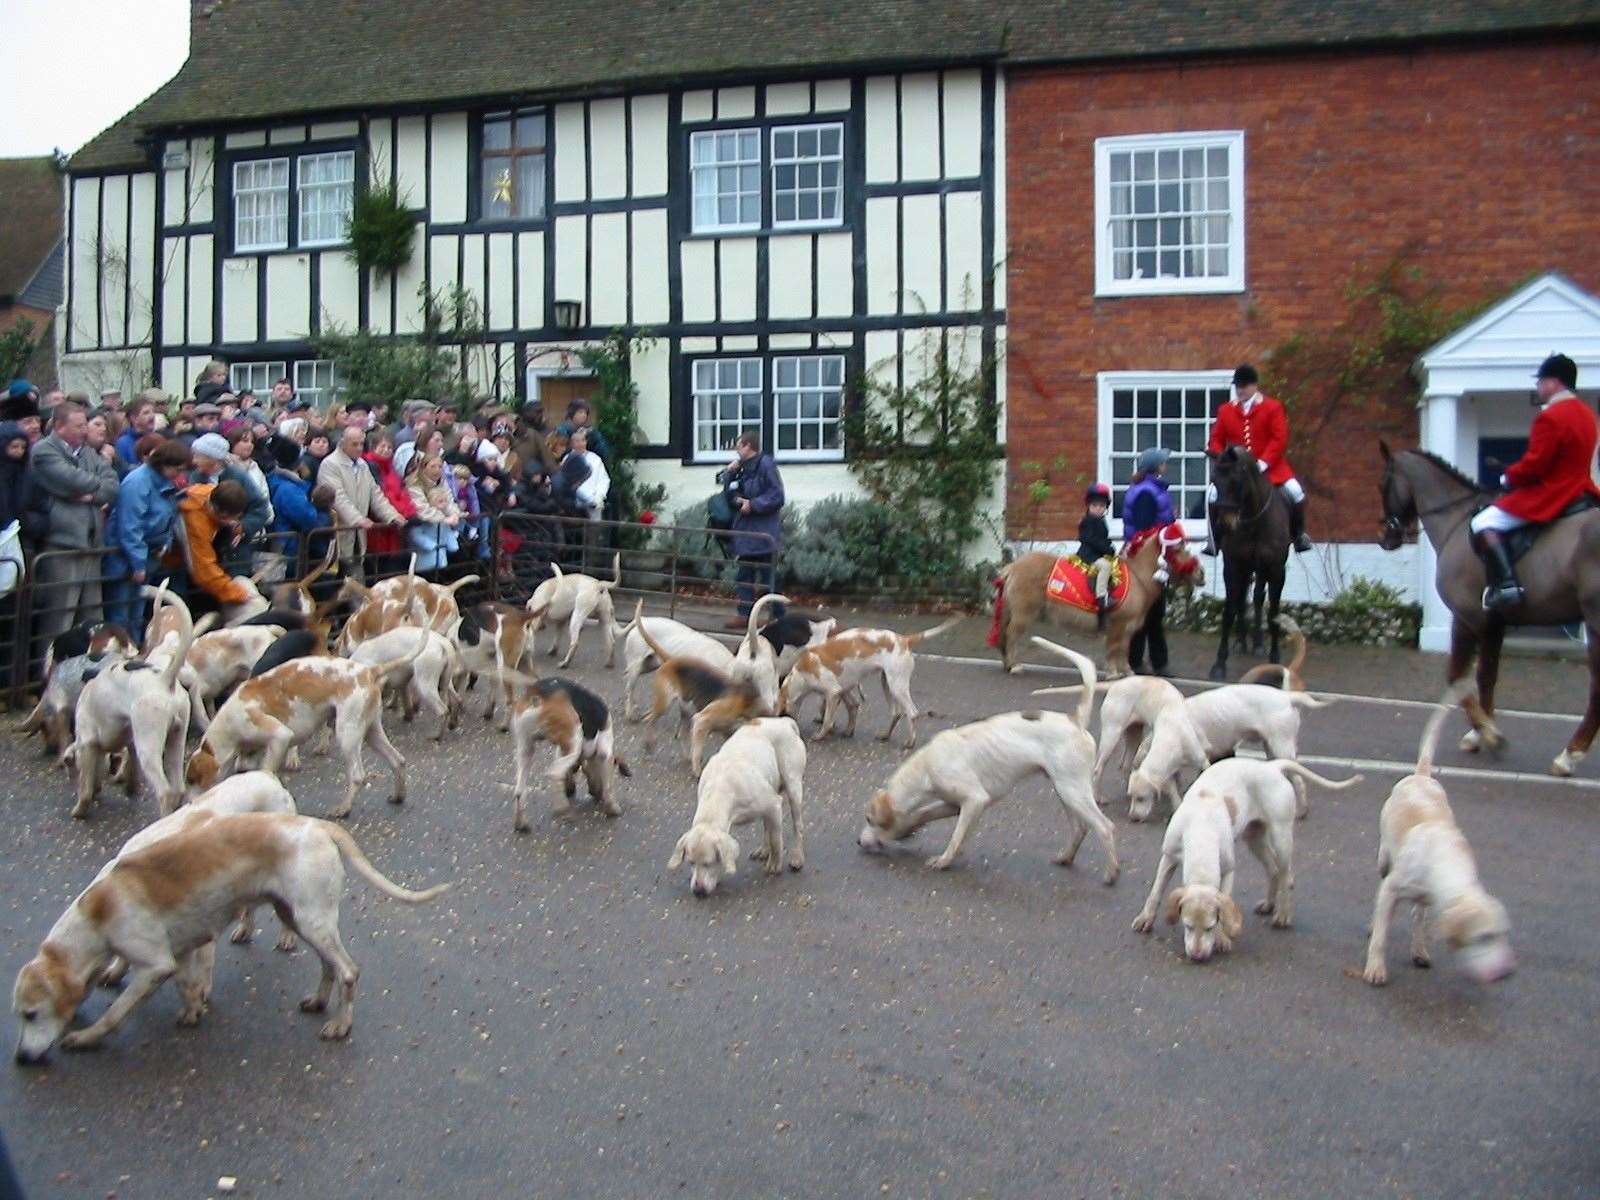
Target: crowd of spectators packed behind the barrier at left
<point x="217" y="486"/>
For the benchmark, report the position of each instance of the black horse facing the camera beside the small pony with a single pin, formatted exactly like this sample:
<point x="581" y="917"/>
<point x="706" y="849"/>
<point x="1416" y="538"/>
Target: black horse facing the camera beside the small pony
<point x="1254" y="537"/>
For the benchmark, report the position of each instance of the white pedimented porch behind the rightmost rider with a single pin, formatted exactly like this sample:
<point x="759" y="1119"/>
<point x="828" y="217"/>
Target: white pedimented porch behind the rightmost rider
<point x="1478" y="386"/>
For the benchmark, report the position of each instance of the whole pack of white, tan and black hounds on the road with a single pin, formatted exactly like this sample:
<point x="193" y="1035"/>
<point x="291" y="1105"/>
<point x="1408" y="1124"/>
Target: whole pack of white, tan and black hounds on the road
<point x="270" y="679"/>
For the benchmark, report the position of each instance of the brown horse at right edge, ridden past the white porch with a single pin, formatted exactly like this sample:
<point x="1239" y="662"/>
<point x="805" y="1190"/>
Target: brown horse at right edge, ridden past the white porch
<point x="1561" y="574"/>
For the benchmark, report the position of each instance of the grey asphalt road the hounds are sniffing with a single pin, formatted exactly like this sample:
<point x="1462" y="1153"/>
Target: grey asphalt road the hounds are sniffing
<point x="572" y="1022"/>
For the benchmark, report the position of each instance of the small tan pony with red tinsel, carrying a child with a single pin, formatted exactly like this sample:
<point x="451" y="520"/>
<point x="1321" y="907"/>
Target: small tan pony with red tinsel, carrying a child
<point x="1022" y="601"/>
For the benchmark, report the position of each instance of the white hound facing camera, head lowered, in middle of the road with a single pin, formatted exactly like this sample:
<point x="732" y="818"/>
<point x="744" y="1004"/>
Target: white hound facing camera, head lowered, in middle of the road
<point x="754" y="777"/>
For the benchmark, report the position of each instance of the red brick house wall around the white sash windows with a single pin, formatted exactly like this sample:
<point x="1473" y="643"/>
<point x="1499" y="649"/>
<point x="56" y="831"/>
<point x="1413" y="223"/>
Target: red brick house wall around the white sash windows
<point x="1487" y="161"/>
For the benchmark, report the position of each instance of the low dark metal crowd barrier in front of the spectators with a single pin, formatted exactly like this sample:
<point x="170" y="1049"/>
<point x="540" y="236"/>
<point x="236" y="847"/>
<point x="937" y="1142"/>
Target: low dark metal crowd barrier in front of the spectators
<point x="684" y="567"/>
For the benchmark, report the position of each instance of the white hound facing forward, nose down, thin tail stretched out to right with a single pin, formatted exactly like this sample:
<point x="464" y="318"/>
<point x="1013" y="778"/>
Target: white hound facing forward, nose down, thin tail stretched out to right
<point x="1234" y="799"/>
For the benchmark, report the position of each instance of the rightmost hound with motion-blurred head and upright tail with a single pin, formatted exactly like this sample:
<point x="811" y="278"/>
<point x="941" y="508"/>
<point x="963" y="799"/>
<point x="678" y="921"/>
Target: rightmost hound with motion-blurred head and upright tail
<point x="1425" y="860"/>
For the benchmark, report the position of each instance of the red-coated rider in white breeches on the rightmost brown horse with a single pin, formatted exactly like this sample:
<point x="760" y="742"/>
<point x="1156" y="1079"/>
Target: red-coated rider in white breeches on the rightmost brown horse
<point x="1553" y="474"/>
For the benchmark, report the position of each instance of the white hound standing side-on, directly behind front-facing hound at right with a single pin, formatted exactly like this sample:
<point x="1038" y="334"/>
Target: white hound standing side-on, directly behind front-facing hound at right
<point x="1210" y="727"/>
